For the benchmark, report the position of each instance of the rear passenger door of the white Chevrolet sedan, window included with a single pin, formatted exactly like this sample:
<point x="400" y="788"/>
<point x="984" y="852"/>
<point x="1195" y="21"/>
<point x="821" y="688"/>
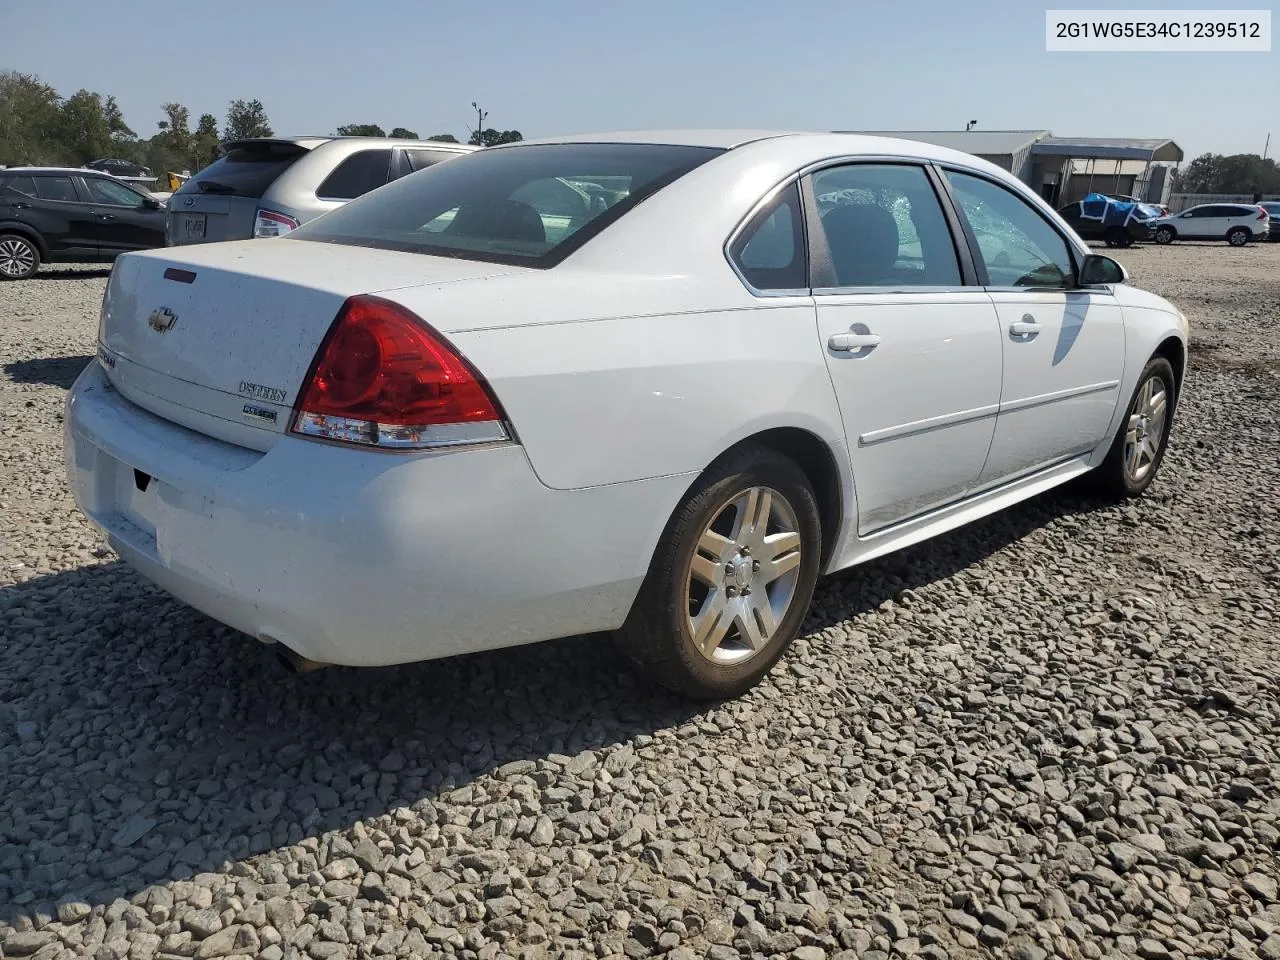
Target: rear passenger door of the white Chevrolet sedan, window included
<point x="915" y="355"/>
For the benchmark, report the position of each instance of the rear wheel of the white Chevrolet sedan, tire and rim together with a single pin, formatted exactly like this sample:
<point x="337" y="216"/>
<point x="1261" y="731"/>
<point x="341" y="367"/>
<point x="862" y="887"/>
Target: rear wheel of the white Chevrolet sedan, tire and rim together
<point x="710" y="623"/>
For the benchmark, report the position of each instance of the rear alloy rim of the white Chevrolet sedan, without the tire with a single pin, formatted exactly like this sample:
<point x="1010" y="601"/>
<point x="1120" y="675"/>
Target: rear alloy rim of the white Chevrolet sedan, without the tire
<point x="743" y="577"/>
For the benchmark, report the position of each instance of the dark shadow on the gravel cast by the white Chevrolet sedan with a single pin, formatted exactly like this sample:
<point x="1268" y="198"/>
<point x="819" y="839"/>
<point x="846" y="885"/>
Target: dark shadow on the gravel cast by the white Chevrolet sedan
<point x="141" y="742"/>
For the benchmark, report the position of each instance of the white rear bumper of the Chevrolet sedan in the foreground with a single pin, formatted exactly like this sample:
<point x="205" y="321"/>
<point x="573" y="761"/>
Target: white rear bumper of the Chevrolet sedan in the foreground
<point x="358" y="557"/>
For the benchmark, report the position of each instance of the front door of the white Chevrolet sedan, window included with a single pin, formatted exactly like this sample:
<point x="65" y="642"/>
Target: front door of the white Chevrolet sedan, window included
<point x="1064" y="348"/>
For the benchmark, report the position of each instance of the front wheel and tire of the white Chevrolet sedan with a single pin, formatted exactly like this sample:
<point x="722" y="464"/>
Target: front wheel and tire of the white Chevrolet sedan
<point x="1140" y="445"/>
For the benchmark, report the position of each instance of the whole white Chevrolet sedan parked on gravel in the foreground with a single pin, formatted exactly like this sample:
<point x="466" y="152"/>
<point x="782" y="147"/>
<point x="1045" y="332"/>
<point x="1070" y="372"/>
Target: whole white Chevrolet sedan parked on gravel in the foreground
<point x="653" y="385"/>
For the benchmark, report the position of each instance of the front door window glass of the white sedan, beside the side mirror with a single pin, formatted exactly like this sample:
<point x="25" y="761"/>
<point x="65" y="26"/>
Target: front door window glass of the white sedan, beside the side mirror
<point x="1018" y="246"/>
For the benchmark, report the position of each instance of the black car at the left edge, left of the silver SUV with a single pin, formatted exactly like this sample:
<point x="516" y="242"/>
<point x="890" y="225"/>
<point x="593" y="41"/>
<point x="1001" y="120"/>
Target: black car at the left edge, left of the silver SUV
<point x="72" y="216"/>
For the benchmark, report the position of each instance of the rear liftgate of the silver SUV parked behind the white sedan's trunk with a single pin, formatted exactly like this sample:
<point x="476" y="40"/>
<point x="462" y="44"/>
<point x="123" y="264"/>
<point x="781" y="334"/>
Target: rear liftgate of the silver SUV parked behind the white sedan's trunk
<point x="221" y="202"/>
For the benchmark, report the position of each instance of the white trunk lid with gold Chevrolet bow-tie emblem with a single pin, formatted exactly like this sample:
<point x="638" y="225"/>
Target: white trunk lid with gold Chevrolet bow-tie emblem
<point x="221" y="339"/>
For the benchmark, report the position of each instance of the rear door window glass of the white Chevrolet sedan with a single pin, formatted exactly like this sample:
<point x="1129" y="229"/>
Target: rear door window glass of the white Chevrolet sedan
<point x="884" y="227"/>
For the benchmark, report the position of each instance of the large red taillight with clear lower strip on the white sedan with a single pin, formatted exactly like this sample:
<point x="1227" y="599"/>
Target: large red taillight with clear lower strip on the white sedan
<point x="383" y="378"/>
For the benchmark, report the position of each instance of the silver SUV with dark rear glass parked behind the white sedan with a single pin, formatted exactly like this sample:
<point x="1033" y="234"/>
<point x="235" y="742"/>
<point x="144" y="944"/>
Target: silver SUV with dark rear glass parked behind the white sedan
<point x="268" y="186"/>
